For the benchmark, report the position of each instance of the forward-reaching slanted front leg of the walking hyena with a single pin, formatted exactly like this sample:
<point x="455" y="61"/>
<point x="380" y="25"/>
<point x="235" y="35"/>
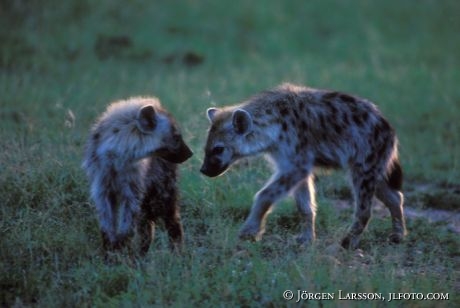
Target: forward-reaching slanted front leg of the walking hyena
<point x="277" y="188"/>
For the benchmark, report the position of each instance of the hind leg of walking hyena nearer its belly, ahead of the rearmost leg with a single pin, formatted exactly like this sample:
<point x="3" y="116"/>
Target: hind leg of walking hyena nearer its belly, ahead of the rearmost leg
<point x="364" y="187"/>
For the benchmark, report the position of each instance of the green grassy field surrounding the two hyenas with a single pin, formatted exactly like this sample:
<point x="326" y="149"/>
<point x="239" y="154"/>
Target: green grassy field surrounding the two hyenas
<point x="61" y="62"/>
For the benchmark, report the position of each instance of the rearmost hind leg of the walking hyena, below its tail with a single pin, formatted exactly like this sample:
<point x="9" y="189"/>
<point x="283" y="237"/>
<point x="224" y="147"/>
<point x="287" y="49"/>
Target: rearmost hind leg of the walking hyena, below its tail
<point x="393" y="200"/>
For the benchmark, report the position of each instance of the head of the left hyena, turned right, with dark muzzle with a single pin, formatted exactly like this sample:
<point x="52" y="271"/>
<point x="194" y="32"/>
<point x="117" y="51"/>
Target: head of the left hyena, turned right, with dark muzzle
<point x="160" y="135"/>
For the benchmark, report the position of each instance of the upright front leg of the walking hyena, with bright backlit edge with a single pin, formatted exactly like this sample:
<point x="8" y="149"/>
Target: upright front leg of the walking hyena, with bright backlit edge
<point x="304" y="195"/>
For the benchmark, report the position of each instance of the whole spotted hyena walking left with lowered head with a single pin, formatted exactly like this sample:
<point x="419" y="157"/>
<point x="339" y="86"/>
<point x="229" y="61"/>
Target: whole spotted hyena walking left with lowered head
<point x="299" y="129"/>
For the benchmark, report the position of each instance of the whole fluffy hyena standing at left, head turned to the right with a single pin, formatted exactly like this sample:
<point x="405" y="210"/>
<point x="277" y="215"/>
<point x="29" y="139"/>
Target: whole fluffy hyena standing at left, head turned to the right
<point x="131" y="160"/>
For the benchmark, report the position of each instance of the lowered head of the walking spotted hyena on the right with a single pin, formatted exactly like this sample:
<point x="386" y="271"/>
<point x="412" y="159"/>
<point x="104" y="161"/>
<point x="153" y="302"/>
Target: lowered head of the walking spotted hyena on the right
<point x="227" y="139"/>
